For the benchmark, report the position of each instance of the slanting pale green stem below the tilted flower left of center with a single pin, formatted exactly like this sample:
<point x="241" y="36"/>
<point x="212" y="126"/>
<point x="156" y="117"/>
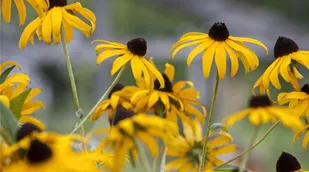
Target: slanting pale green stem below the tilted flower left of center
<point x="80" y="124"/>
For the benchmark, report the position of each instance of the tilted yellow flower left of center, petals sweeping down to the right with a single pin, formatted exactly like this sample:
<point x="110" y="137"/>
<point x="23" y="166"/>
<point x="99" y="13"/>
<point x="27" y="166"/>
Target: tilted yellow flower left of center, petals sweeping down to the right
<point x="133" y="52"/>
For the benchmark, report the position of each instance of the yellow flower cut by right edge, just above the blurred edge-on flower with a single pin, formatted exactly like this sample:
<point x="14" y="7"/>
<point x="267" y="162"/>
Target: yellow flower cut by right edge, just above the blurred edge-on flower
<point x="298" y="100"/>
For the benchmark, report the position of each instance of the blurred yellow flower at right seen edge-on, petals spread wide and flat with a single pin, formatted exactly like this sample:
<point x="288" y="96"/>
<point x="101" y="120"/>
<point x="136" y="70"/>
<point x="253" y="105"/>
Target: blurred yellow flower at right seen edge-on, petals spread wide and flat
<point x="261" y="111"/>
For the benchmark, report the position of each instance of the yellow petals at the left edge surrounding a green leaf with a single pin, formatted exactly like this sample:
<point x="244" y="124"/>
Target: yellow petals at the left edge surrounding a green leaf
<point x="15" y="85"/>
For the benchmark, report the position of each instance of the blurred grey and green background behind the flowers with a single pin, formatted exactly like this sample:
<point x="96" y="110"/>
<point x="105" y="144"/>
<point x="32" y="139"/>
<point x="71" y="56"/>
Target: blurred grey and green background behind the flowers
<point x="161" y="23"/>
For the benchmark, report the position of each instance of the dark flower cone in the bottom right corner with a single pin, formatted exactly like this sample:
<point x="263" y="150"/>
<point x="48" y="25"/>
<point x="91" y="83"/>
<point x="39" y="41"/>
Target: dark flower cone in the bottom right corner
<point x="288" y="163"/>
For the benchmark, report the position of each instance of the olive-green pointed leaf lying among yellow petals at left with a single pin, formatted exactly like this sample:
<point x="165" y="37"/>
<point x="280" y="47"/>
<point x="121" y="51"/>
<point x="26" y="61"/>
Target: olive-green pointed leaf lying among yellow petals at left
<point x="17" y="103"/>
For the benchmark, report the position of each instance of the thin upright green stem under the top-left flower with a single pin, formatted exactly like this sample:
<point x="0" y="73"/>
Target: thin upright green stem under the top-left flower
<point x="71" y="74"/>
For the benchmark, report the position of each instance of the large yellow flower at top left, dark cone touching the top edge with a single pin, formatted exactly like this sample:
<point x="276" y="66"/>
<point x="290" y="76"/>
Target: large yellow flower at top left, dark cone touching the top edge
<point x="52" y="16"/>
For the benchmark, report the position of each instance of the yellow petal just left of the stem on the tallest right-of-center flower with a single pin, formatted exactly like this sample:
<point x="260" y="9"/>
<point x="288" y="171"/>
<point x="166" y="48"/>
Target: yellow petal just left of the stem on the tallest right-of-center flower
<point x="208" y="58"/>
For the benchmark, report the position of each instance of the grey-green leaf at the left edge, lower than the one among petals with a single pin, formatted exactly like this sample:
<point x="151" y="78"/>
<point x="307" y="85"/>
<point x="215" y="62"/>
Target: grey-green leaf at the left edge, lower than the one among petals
<point x="9" y="123"/>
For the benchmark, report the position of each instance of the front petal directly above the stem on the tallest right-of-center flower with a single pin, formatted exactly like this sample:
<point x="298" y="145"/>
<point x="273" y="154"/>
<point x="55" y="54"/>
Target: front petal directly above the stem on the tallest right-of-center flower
<point x="220" y="60"/>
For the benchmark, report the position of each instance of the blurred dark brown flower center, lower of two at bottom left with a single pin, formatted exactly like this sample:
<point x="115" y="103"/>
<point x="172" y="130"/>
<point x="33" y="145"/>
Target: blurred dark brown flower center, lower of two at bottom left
<point x="38" y="152"/>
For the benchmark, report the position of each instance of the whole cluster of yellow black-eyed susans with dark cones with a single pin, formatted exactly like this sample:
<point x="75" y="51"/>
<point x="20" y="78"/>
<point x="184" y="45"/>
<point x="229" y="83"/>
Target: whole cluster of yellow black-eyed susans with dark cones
<point x="157" y="111"/>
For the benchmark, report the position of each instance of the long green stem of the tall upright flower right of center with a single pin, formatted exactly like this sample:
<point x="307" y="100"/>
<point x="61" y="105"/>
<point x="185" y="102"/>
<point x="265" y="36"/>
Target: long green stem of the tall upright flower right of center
<point x="212" y="108"/>
